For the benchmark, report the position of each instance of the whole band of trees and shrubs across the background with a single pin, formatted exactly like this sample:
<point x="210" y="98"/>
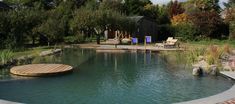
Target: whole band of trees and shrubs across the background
<point x="45" y="22"/>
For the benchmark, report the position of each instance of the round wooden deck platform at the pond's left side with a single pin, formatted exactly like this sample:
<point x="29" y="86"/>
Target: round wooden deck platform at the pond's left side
<point x="36" y="70"/>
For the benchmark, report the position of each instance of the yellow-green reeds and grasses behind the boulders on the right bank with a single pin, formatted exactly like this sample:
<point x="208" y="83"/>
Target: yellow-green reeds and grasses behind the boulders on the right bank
<point x="211" y="54"/>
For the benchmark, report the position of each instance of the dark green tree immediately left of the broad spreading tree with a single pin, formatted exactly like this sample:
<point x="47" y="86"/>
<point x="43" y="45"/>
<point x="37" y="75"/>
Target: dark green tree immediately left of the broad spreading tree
<point x="56" y="26"/>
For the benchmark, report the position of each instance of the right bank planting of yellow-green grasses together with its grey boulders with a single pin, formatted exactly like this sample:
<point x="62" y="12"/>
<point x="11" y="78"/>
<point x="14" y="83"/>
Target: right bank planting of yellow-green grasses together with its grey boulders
<point x="209" y="58"/>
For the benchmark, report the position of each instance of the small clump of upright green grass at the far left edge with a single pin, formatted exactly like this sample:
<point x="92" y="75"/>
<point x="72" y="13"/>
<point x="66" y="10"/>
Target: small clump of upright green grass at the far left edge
<point x="5" y="55"/>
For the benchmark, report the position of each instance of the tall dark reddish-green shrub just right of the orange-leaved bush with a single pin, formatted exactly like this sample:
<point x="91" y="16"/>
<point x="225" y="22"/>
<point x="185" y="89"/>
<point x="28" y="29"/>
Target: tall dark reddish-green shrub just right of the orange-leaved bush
<point x="205" y="16"/>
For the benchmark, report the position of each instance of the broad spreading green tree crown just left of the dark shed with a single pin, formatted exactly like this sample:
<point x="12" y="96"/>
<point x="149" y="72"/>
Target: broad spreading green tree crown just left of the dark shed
<point x="91" y="21"/>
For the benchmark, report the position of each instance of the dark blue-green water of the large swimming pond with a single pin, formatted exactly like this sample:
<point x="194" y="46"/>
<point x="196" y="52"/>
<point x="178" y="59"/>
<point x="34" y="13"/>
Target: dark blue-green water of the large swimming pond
<point x="112" y="78"/>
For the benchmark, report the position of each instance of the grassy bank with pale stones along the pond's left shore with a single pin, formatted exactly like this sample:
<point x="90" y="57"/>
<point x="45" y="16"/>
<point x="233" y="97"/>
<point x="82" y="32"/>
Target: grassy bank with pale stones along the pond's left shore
<point x="19" y="57"/>
